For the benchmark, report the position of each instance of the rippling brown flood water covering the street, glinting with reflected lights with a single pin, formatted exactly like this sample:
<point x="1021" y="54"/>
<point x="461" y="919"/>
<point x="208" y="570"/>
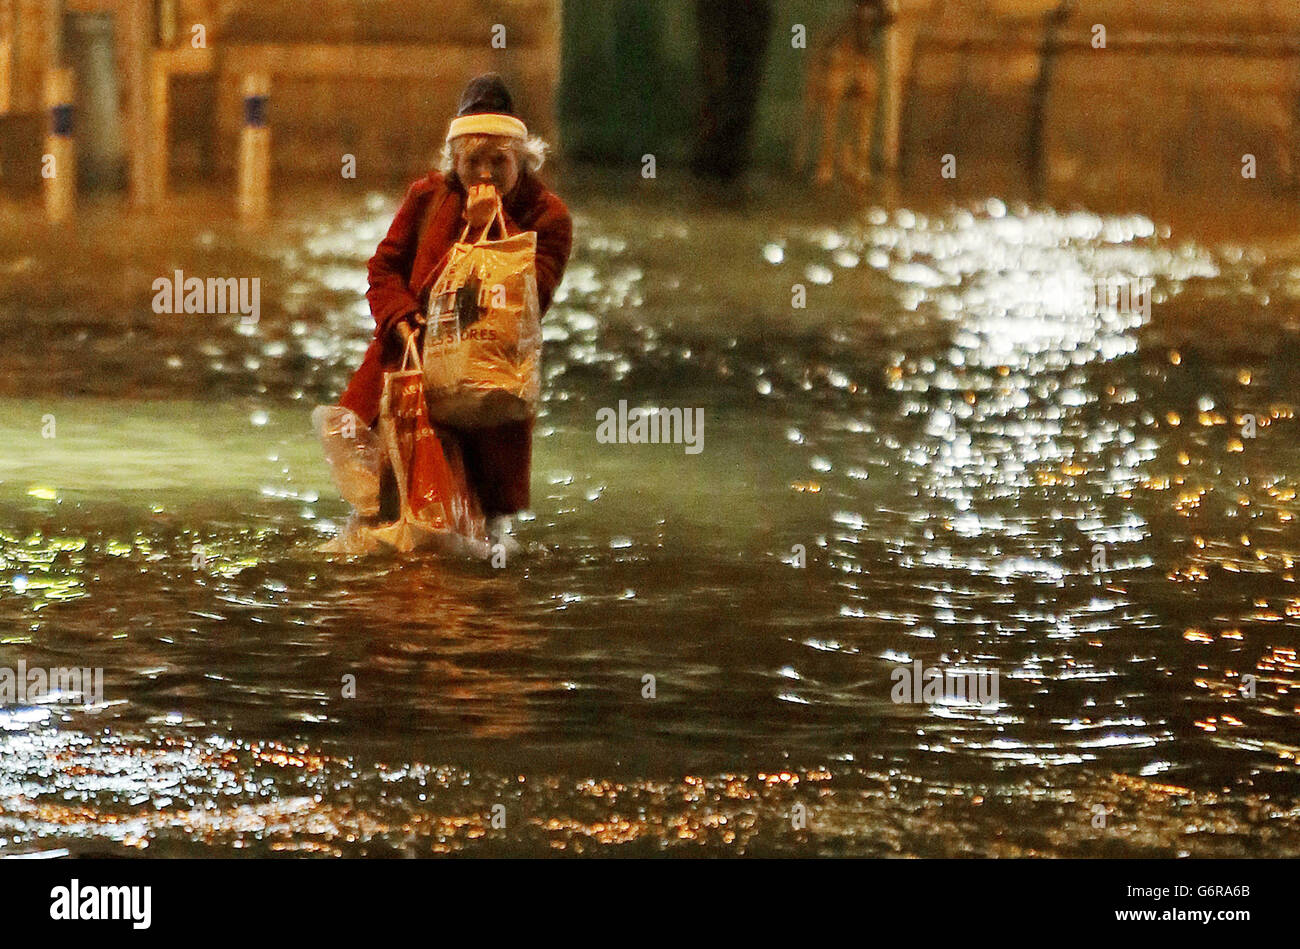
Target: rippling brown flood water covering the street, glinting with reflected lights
<point x="951" y="454"/>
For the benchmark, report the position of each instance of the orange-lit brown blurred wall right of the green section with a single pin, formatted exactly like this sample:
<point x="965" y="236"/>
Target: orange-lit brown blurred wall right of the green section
<point x="1173" y="102"/>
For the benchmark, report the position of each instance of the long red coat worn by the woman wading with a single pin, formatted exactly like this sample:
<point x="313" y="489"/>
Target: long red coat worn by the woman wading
<point x="402" y="272"/>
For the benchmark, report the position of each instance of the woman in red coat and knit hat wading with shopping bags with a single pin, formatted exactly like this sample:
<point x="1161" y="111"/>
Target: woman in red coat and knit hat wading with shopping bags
<point x="488" y="154"/>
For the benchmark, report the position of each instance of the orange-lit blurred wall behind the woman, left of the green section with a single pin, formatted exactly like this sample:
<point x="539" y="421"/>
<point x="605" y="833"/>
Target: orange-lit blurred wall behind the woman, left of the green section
<point x="159" y="83"/>
